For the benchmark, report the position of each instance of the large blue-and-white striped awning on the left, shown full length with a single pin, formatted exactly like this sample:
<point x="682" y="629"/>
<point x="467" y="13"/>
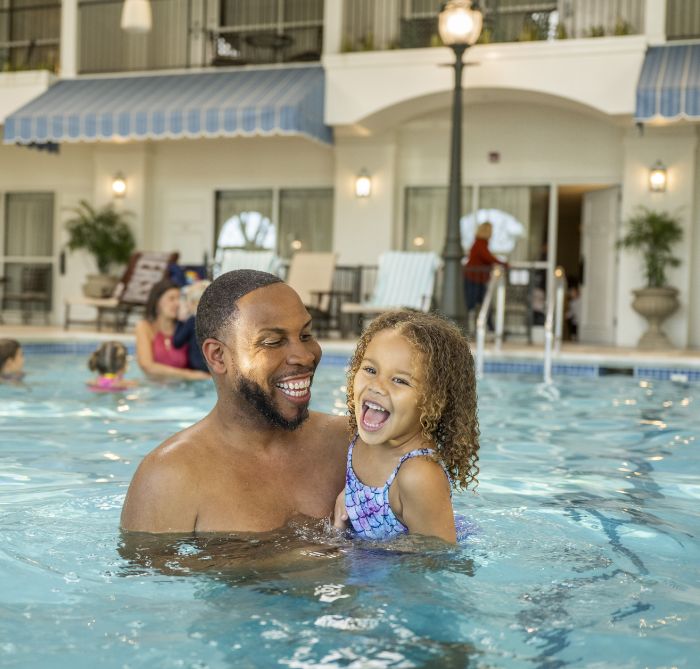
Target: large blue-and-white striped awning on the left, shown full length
<point x="275" y="101"/>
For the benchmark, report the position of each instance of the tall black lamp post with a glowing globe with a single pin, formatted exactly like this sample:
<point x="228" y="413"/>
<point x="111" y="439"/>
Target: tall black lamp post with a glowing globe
<point x="459" y="26"/>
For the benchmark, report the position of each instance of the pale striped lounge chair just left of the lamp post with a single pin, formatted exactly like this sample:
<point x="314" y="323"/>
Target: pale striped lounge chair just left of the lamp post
<point x="405" y="279"/>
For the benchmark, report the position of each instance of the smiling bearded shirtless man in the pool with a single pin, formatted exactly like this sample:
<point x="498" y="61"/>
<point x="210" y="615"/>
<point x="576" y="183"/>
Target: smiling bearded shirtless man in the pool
<point x="259" y="460"/>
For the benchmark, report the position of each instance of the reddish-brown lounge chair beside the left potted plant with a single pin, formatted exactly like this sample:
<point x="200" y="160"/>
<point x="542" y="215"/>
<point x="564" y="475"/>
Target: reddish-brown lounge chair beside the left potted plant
<point x="145" y="269"/>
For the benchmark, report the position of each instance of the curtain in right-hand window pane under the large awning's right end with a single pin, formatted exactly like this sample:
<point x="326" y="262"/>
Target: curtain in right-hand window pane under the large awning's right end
<point x="306" y="220"/>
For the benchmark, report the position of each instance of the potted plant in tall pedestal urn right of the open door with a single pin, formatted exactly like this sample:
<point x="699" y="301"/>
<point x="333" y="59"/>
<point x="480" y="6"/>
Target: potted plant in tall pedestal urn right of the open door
<point x="653" y="233"/>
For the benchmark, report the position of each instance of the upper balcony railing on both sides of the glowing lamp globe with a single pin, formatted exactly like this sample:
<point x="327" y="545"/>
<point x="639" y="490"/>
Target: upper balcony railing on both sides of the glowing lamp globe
<point x="407" y="24"/>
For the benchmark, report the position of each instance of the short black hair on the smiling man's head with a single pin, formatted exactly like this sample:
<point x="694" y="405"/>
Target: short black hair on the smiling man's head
<point x="219" y="303"/>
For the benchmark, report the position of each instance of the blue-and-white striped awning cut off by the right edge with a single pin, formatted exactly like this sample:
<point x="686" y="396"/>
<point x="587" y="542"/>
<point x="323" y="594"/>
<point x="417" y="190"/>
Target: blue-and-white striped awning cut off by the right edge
<point x="669" y="85"/>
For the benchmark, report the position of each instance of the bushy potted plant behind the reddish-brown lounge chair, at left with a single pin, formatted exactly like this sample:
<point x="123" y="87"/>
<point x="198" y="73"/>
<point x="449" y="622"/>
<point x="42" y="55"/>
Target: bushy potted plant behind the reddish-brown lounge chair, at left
<point x="106" y="235"/>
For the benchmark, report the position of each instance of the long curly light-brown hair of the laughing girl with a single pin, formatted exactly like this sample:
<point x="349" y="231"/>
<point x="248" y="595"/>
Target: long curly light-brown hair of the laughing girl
<point x="447" y="400"/>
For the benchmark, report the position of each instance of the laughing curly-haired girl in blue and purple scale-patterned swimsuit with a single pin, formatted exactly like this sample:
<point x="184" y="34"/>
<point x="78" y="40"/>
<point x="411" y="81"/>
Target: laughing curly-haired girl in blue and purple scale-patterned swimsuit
<point x="412" y="403"/>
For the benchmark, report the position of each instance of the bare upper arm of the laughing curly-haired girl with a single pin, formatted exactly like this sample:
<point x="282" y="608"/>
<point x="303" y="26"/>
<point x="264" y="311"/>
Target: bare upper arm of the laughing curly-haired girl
<point x="424" y="500"/>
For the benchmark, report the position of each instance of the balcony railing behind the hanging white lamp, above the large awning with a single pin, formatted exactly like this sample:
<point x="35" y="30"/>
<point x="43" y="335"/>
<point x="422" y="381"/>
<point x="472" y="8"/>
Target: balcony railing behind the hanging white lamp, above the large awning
<point x="186" y="34"/>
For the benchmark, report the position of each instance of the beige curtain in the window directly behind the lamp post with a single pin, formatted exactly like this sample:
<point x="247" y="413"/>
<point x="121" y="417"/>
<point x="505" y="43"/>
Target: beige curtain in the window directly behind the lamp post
<point x="426" y="216"/>
